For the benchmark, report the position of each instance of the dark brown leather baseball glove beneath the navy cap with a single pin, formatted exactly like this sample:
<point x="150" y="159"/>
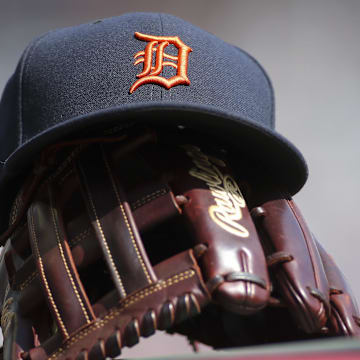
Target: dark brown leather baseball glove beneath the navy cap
<point x="112" y="238"/>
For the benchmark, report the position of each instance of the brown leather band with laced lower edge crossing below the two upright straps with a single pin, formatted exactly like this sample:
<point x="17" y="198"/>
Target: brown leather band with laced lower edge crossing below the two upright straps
<point x="179" y="276"/>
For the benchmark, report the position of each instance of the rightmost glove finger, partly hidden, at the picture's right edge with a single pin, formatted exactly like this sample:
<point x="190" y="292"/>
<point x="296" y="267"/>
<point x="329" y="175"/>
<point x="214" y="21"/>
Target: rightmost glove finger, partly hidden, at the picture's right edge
<point x="345" y="316"/>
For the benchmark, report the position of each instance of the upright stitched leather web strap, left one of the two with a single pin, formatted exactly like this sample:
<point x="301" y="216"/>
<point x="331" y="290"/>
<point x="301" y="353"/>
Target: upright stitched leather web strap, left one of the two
<point x="59" y="278"/>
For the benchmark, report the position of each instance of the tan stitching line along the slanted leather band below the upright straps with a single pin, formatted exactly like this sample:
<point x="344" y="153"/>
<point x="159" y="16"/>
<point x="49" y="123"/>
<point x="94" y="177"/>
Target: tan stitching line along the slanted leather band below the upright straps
<point x="116" y="312"/>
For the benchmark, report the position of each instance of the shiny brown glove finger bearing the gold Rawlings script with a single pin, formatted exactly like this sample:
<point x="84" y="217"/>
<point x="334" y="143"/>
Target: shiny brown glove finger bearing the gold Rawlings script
<point x="232" y="259"/>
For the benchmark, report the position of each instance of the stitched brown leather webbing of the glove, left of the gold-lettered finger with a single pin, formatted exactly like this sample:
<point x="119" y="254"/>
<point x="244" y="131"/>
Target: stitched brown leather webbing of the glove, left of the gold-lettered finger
<point x="66" y="244"/>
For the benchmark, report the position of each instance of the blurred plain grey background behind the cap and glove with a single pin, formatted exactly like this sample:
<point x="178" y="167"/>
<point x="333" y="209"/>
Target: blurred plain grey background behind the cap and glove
<point x="310" y="49"/>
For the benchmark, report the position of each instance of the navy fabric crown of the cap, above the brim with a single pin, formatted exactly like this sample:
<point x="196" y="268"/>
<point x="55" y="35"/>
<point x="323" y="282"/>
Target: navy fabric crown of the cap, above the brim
<point x="84" y="69"/>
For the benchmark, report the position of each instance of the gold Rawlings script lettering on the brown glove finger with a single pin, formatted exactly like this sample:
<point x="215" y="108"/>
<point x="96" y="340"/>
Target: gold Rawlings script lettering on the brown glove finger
<point x="228" y="198"/>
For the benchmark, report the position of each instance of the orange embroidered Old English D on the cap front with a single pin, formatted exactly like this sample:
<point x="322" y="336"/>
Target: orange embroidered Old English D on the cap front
<point x="152" y="67"/>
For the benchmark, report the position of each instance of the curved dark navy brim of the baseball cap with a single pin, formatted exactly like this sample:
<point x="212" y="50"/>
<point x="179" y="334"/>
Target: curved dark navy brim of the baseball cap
<point x="287" y="164"/>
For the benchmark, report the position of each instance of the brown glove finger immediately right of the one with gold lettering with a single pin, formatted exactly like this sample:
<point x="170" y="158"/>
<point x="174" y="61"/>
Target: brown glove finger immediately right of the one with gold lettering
<point x="295" y="262"/>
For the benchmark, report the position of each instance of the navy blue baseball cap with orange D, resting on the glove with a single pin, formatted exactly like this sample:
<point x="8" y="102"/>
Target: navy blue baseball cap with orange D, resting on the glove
<point x="139" y="67"/>
